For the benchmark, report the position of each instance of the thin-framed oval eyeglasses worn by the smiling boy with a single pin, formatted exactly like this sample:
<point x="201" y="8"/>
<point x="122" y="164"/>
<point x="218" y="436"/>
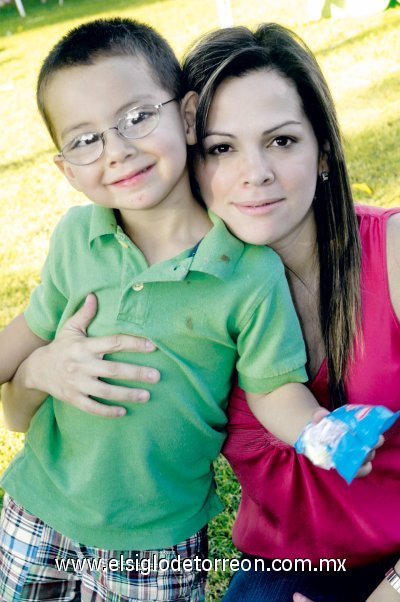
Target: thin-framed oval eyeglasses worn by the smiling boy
<point x="136" y="123"/>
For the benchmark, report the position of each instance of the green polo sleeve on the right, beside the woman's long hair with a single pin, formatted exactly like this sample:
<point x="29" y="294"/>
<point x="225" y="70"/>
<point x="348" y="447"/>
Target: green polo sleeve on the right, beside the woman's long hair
<point x="270" y="344"/>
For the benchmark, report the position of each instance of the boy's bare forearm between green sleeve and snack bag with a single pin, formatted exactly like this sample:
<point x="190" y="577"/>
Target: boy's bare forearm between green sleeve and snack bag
<point x="284" y="412"/>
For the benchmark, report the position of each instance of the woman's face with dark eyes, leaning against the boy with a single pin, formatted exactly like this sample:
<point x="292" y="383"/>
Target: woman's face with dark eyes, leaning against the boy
<point x="261" y="160"/>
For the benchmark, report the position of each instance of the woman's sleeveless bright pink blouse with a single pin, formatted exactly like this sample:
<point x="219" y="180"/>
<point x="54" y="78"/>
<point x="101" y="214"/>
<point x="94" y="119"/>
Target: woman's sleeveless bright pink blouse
<point x="291" y="509"/>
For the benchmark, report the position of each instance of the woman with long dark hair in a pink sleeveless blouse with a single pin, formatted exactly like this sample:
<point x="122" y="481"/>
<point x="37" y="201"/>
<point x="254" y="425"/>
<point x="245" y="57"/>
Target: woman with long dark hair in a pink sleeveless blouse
<point x="271" y="164"/>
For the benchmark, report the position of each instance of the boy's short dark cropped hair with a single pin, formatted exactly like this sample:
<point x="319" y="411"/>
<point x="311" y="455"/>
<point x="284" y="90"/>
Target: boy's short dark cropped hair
<point x="102" y="38"/>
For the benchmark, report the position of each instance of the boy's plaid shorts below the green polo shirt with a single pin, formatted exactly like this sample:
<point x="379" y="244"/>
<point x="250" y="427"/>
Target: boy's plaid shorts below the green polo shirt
<point x="38" y="563"/>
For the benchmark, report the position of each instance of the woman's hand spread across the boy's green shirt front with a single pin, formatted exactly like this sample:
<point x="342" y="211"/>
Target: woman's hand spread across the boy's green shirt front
<point x="70" y="367"/>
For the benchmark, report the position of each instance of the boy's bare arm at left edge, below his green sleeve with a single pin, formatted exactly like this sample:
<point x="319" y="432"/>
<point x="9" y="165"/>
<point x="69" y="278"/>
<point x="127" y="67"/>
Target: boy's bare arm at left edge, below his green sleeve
<point x="17" y="341"/>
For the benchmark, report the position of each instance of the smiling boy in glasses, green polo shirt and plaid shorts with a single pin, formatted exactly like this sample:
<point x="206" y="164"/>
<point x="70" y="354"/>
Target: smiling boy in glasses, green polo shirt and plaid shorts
<point x="161" y="267"/>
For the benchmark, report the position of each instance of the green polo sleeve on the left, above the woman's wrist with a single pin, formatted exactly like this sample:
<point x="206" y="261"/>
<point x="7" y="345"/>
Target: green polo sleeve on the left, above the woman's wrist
<point x="47" y="302"/>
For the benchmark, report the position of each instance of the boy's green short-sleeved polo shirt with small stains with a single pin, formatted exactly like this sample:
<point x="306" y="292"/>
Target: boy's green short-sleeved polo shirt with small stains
<point x="145" y="480"/>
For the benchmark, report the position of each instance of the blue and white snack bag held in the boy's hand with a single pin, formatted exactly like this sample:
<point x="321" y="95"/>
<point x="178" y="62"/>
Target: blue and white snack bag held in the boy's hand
<point x="344" y="438"/>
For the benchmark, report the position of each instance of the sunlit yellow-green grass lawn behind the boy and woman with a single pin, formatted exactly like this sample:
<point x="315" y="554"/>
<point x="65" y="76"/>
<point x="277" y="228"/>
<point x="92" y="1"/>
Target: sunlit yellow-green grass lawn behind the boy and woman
<point x="359" y="58"/>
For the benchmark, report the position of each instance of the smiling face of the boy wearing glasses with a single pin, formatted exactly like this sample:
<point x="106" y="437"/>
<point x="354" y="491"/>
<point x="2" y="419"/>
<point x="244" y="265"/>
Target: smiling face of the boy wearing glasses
<point x="139" y="174"/>
